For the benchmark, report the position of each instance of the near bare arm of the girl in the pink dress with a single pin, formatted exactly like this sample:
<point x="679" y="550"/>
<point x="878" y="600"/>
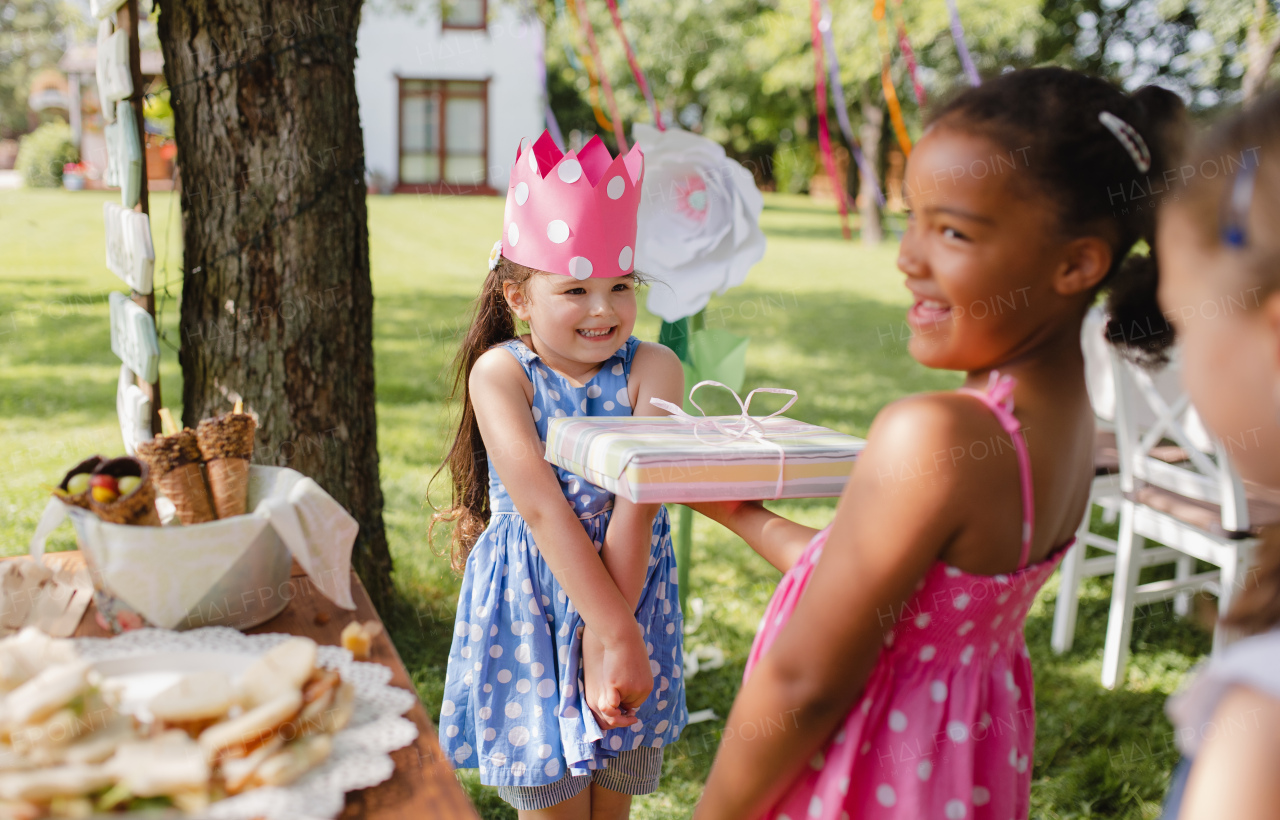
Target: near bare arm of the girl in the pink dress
<point x="881" y="544"/>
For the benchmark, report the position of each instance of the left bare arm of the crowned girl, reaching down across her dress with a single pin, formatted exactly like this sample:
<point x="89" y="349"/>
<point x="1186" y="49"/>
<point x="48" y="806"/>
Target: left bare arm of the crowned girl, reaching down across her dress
<point x="513" y="443"/>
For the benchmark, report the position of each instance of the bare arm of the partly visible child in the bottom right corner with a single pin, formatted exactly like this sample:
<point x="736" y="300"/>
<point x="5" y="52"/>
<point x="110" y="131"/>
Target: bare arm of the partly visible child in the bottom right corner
<point x="1235" y="771"/>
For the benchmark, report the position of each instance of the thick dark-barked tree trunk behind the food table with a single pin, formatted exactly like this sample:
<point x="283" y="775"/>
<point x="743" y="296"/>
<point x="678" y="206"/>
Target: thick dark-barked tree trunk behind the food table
<point x="277" y="300"/>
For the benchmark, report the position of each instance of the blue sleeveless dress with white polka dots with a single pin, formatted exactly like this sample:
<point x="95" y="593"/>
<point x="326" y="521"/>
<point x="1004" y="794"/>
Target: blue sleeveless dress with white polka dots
<point x="514" y="704"/>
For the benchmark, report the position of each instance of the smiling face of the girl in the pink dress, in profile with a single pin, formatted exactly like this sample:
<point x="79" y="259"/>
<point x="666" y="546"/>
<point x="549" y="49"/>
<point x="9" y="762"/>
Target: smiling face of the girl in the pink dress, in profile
<point x="984" y="254"/>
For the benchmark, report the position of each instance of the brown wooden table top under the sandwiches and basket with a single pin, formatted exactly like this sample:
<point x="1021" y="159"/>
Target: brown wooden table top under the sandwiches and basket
<point x="424" y="785"/>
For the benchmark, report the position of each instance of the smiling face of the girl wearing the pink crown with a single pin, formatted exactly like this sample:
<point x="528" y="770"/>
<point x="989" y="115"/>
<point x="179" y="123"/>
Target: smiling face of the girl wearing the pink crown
<point x="575" y="323"/>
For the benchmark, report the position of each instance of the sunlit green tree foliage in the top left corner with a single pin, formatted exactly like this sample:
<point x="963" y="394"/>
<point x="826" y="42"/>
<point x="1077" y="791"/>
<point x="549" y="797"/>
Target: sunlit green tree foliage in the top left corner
<point x="34" y="35"/>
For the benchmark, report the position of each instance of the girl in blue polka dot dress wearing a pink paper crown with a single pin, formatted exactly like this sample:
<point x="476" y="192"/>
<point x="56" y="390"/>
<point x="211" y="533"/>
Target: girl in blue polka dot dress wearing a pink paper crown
<point x="565" y="681"/>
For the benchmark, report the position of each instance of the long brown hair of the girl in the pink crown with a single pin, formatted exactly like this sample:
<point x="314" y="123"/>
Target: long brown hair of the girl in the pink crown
<point x="468" y="462"/>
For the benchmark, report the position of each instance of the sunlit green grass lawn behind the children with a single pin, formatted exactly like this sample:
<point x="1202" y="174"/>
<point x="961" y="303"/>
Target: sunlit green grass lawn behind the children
<point x="825" y="317"/>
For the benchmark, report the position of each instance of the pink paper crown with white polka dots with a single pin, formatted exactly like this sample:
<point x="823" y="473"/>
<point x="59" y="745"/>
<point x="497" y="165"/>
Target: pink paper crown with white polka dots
<point x="573" y="214"/>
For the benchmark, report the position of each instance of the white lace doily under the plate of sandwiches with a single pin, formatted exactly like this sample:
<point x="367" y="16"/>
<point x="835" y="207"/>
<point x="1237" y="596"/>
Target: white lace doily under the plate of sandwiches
<point x="362" y="753"/>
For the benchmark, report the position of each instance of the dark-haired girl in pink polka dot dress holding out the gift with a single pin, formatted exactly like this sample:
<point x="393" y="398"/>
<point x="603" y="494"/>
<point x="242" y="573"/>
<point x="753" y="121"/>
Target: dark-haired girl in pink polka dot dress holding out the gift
<point x="890" y="677"/>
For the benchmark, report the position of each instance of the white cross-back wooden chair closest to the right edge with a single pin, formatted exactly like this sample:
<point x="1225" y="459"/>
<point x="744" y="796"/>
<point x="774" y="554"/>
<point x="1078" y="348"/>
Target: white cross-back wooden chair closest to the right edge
<point x="1196" y="507"/>
